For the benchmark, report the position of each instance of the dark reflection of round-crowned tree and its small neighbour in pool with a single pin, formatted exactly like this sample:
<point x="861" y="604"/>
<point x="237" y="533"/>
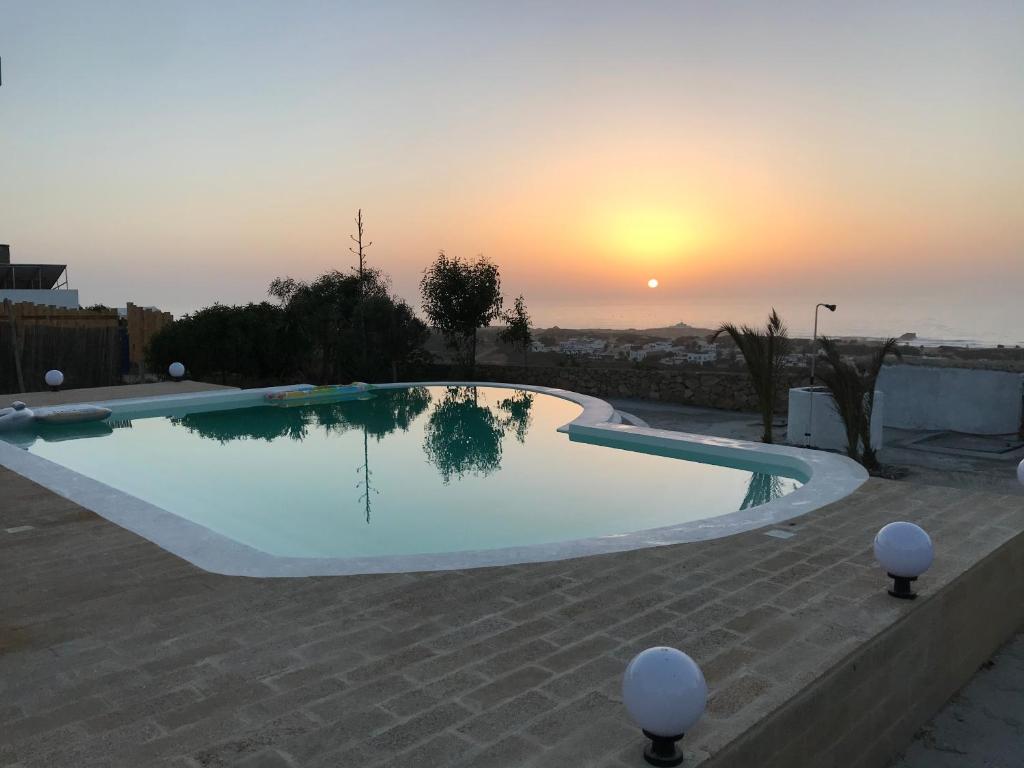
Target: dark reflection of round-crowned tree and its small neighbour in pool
<point x="464" y="436"/>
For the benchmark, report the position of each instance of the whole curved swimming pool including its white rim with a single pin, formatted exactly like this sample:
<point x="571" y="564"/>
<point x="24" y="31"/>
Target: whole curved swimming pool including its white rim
<point x="412" y="478"/>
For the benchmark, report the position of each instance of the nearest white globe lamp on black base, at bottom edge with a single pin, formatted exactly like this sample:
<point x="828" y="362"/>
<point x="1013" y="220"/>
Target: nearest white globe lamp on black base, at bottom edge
<point x="665" y="693"/>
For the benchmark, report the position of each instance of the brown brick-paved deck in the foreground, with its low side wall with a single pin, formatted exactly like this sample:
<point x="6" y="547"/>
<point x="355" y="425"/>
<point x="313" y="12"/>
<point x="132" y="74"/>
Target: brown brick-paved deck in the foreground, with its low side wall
<point x="115" y="653"/>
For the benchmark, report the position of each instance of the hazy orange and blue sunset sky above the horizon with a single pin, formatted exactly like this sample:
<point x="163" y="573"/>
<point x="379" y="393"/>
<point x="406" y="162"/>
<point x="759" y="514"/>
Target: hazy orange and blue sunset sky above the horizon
<point x="743" y="154"/>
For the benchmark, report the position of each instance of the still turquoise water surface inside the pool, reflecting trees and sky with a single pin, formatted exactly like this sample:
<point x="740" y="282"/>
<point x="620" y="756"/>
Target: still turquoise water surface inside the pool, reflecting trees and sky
<point x="407" y="472"/>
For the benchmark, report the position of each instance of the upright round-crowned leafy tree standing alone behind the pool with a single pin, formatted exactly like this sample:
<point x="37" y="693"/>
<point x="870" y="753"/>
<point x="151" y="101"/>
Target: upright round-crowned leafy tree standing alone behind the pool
<point x="459" y="297"/>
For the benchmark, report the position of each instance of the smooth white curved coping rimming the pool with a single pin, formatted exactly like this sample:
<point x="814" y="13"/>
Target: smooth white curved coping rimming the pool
<point x="830" y="478"/>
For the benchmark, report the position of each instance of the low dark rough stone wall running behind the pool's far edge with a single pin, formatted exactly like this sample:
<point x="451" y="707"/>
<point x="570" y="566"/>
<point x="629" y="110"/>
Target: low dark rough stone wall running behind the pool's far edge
<point x="723" y="390"/>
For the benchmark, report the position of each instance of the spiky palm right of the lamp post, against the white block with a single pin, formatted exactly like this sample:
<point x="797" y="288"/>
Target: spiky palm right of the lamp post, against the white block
<point x="854" y="396"/>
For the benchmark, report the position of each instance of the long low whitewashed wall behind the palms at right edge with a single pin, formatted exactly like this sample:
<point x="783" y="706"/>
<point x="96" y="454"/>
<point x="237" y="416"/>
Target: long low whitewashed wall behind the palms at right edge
<point x="960" y="400"/>
